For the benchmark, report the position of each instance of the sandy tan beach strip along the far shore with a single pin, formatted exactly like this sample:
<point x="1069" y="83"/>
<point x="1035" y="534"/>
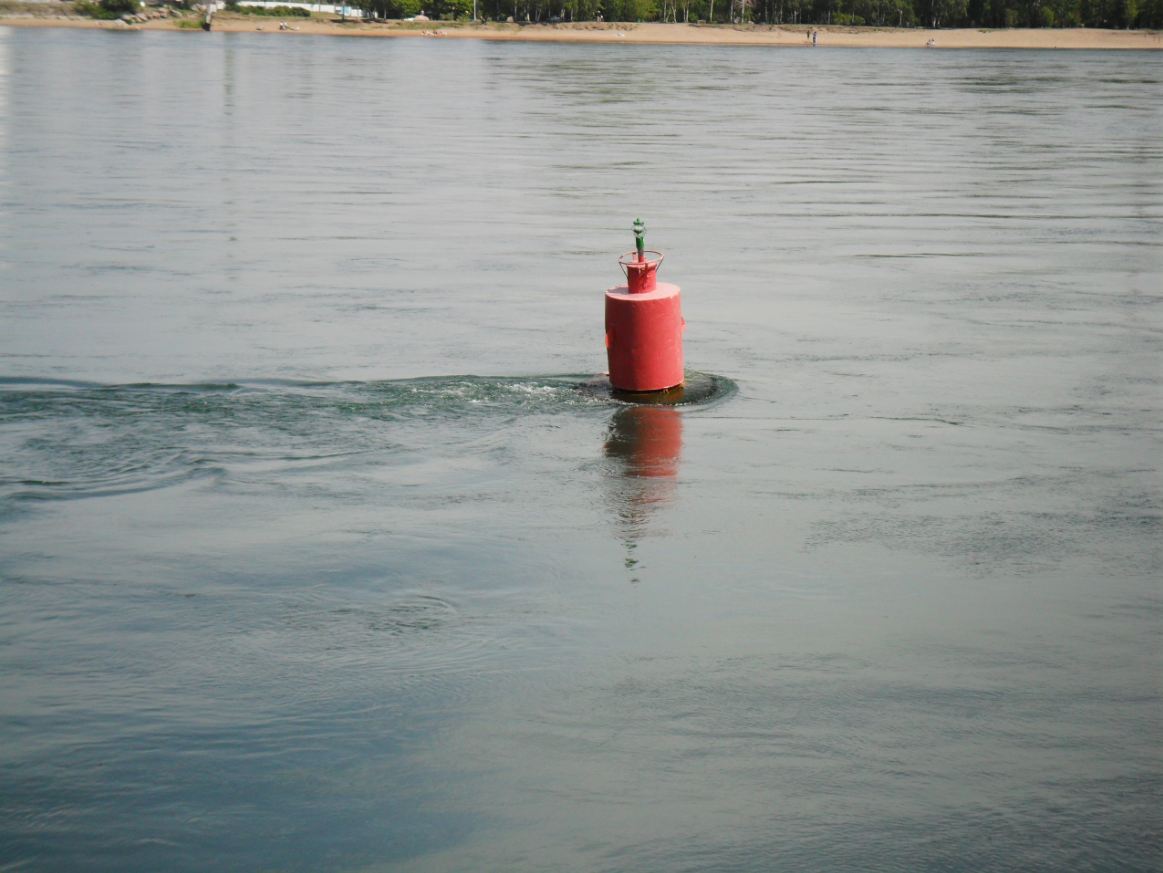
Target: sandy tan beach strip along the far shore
<point x="650" y="34"/>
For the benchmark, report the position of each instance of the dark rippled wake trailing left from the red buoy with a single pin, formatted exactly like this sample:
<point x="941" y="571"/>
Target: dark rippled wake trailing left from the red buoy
<point x="67" y="440"/>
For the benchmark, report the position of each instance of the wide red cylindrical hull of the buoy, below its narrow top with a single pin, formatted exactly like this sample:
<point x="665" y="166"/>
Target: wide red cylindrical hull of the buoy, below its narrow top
<point x="645" y="338"/>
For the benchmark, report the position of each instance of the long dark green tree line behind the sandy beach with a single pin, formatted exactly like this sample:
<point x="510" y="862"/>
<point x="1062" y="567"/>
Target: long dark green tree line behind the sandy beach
<point x="875" y="13"/>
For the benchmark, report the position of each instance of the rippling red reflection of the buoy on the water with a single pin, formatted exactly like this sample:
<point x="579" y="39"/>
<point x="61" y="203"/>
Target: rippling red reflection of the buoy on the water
<point x="645" y="445"/>
